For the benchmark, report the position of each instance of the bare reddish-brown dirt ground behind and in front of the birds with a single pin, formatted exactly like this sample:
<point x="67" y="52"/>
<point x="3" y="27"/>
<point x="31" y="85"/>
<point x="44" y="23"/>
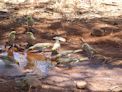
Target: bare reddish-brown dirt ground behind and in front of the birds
<point x="109" y="45"/>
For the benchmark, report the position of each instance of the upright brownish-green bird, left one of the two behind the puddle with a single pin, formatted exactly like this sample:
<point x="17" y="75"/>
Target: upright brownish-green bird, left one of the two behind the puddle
<point x="11" y="39"/>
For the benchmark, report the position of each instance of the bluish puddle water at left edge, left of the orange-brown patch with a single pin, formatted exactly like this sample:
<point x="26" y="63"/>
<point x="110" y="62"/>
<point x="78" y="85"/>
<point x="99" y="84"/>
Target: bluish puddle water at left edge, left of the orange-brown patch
<point x="13" y="70"/>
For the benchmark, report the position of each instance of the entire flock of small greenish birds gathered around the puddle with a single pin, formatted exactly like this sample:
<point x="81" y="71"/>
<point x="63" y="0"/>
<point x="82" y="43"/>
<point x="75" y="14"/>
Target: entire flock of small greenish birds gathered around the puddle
<point x="41" y="57"/>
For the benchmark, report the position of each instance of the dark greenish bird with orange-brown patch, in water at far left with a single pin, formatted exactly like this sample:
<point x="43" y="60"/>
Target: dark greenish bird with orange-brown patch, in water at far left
<point x="9" y="58"/>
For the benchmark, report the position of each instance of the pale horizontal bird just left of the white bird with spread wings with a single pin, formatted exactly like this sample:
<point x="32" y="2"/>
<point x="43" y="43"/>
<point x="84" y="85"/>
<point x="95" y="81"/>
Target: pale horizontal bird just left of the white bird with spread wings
<point x="40" y="46"/>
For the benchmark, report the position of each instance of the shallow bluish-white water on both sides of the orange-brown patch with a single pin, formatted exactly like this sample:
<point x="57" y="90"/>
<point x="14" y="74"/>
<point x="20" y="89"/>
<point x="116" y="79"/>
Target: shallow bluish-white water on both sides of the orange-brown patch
<point x="41" y="68"/>
